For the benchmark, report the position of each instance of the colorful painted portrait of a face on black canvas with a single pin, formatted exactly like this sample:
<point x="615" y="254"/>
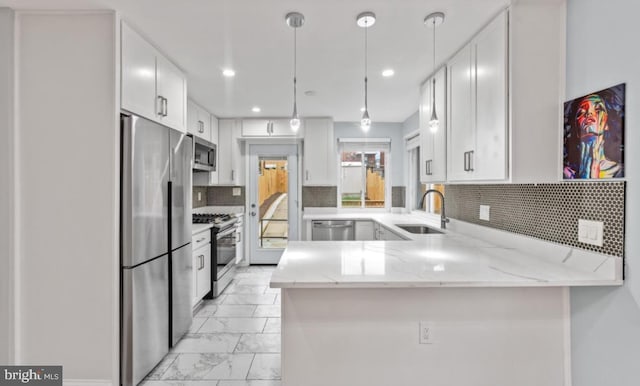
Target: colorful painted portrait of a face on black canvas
<point x="594" y="135"/>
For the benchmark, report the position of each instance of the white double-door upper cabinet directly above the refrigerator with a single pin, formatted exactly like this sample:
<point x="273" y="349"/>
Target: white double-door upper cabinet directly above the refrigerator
<point x="152" y="86"/>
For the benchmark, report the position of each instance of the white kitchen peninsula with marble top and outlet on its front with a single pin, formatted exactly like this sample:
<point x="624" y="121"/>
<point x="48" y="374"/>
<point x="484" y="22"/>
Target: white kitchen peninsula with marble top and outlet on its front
<point x="403" y="312"/>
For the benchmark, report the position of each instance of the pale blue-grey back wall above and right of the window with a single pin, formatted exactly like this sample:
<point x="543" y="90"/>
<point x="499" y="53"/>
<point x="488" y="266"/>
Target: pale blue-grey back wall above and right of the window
<point x="379" y="130"/>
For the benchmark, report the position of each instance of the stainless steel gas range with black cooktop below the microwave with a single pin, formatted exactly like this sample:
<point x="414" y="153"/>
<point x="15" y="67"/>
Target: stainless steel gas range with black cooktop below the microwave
<point x="224" y="241"/>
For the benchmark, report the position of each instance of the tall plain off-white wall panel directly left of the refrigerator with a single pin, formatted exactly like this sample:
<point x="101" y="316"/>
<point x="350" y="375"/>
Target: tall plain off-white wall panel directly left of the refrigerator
<point x="67" y="183"/>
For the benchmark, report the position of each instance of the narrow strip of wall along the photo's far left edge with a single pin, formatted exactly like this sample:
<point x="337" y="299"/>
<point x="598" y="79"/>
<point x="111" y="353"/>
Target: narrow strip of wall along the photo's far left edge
<point x="6" y="186"/>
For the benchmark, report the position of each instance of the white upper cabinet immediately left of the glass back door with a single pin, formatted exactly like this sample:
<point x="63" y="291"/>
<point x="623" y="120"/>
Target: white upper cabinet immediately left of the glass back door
<point x="230" y="160"/>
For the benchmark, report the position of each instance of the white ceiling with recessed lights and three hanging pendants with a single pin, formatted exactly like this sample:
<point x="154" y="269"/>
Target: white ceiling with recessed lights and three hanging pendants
<point x="251" y="36"/>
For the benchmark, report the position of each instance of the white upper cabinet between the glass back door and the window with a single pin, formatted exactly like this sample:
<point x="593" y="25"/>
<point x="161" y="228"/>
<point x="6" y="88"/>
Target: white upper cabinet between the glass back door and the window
<point x="319" y="153"/>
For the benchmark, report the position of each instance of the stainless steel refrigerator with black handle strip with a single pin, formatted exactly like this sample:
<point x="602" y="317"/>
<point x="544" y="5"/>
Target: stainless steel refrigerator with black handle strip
<point x="155" y="256"/>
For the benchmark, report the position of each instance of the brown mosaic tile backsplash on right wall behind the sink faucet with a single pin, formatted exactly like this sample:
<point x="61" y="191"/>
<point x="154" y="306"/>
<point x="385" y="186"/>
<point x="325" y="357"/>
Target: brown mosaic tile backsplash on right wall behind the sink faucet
<point x="545" y="211"/>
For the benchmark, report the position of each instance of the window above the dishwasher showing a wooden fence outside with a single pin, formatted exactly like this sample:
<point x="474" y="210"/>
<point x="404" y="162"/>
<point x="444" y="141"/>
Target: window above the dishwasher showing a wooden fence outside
<point x="363" y="175"/>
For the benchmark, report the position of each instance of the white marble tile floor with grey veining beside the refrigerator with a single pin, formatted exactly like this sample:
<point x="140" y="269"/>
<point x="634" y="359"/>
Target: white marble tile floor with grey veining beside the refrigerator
<point x="234" y="340"/>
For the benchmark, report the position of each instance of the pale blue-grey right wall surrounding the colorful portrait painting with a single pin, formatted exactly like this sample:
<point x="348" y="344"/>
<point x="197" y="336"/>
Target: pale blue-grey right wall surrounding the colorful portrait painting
<point x="602" y="51"/>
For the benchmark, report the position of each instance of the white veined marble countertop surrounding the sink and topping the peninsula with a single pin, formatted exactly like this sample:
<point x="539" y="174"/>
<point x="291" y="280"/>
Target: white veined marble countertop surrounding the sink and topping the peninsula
<point x="452" y="259"/>
